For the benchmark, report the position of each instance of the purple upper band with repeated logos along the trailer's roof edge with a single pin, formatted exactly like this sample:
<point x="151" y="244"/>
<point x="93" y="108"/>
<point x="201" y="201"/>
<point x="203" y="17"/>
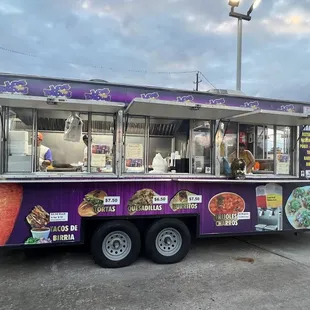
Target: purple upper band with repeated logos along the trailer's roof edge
<point x="105" y="92"/>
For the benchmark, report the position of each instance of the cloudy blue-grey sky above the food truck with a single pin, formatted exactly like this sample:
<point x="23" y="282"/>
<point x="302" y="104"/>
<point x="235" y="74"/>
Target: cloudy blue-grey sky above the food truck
<point x="134" y="41"/>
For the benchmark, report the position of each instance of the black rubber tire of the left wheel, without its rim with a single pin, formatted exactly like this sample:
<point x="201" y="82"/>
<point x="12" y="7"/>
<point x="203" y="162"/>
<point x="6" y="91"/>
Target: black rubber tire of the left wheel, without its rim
<point x="99" y="235"/>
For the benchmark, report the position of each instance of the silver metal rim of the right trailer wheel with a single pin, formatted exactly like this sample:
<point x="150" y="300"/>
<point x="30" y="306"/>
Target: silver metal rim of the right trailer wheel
<point x="168" y="242"/>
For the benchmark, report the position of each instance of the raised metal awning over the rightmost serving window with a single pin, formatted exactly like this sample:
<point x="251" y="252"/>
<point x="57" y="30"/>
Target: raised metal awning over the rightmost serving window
<point x="265" y="117"/>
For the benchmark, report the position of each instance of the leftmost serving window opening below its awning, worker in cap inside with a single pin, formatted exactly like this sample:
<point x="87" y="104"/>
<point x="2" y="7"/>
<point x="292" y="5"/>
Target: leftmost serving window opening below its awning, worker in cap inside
<point x="39" y="141"/>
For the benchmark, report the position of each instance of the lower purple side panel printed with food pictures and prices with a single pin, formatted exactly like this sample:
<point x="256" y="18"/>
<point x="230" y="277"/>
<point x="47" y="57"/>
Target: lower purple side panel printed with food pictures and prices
<point x="65" y="203"/>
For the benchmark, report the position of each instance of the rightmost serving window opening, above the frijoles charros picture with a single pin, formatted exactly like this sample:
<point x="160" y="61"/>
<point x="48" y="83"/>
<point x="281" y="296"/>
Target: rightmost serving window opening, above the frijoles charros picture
<point x="270" y="147"/>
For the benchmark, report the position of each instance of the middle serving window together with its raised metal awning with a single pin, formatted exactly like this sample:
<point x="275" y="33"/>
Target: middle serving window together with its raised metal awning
<point x="182" y="144"/>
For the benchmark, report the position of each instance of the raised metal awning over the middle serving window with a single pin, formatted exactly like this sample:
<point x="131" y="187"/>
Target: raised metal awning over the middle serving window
<point x="183" y="110"/>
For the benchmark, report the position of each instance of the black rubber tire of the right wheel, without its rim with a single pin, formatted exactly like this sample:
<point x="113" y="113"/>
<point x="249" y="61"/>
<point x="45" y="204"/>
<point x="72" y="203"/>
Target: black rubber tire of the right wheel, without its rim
<point x="150" y="241"/>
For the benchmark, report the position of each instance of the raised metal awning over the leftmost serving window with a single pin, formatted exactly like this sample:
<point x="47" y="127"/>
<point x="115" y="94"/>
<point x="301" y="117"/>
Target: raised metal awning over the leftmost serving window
<point x="37" y="102"/>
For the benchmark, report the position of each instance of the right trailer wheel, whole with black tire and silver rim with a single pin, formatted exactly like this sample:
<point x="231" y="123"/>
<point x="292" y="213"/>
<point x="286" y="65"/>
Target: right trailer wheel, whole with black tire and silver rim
<point x="167" y="241"/>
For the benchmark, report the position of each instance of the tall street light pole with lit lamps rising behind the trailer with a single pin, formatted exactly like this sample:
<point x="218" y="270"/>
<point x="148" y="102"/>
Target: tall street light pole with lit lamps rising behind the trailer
<point x="240" y="17"/>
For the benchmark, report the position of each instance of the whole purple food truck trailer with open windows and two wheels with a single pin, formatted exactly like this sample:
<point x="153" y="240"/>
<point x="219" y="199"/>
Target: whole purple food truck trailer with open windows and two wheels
<point x="151" y="167"/>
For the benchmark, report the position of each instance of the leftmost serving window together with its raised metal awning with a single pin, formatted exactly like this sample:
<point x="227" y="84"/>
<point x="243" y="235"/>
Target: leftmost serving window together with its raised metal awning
<point x="39" y="139"/>
